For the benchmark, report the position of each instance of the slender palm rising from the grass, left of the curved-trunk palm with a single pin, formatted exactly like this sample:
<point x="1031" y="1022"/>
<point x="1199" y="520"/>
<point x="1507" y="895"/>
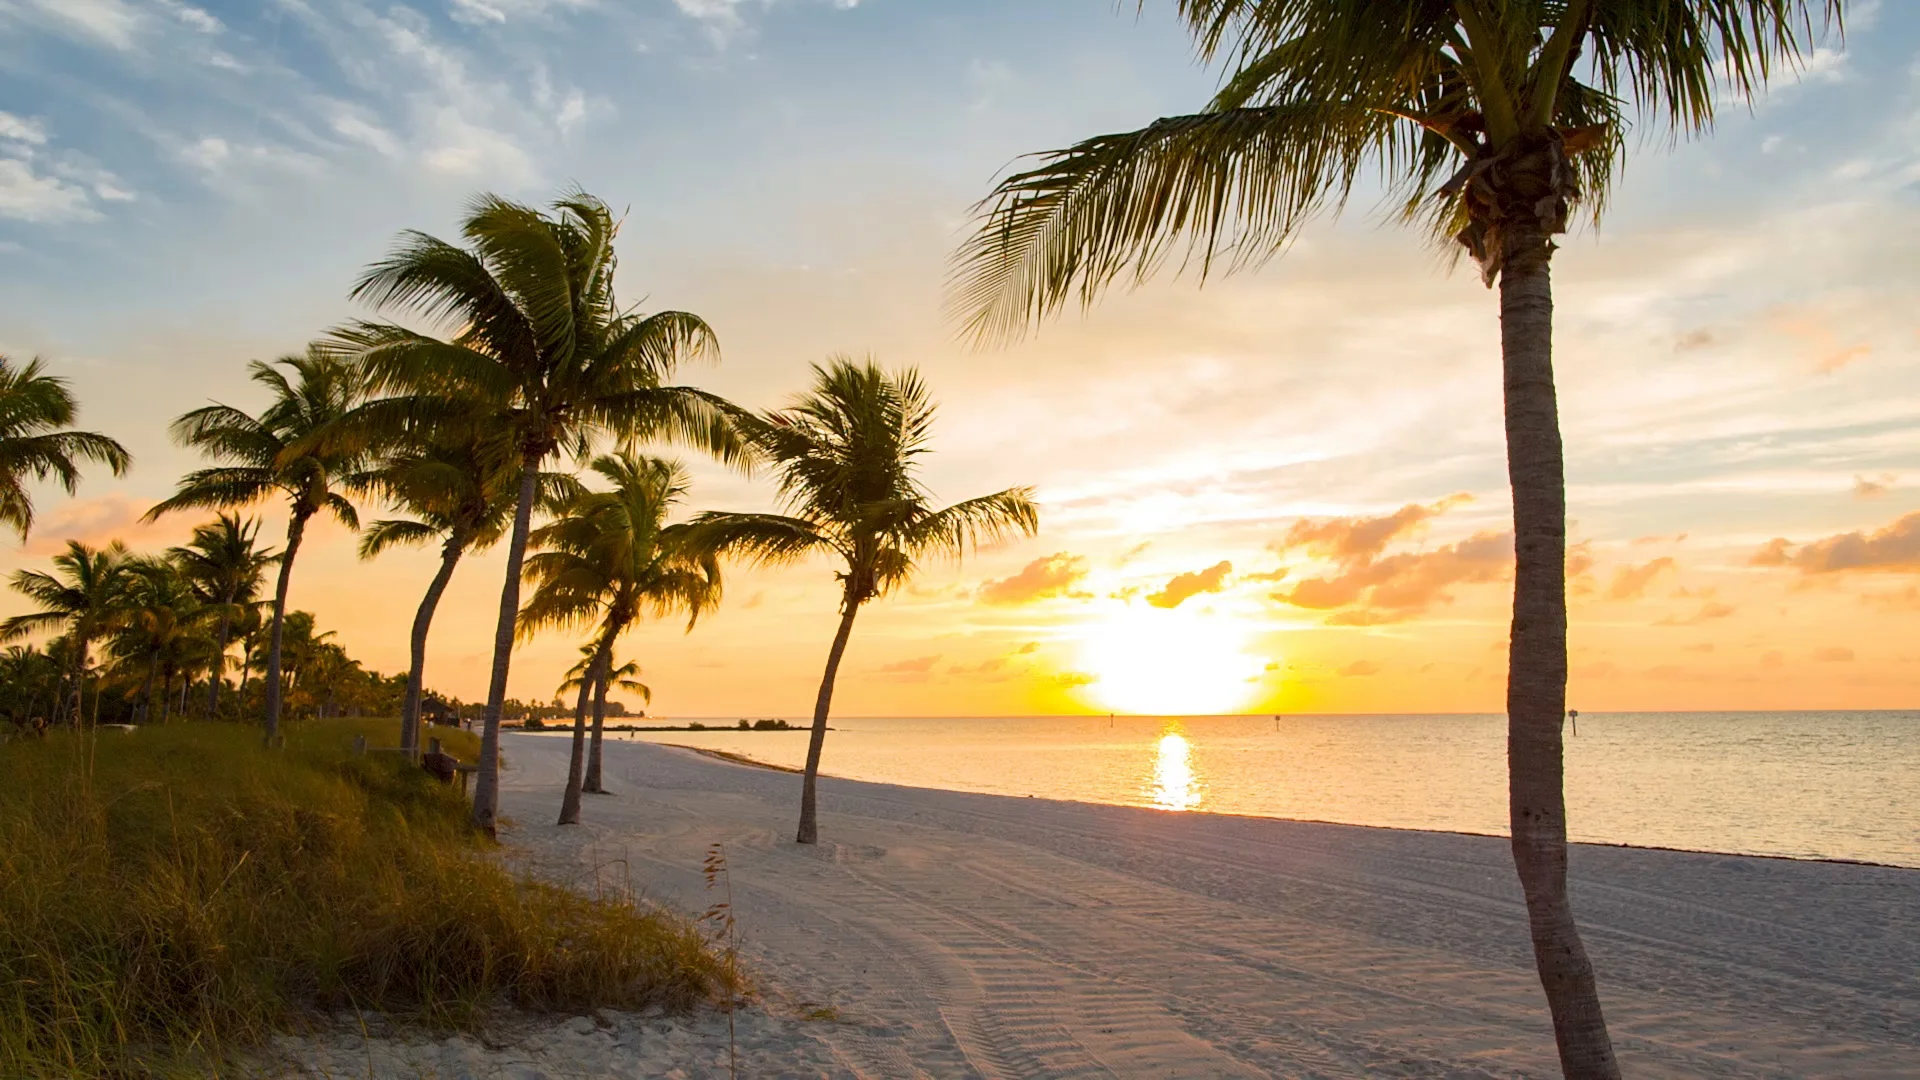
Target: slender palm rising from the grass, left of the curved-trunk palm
<point x="276" y="454"/>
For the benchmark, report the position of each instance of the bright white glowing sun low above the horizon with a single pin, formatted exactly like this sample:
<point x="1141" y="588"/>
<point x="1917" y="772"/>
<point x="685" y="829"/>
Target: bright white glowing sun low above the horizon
<point x="1170" y="664"/>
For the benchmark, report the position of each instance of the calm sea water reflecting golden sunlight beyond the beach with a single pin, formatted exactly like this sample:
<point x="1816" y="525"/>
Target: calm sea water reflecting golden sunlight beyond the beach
<point x="1806" y="785"/>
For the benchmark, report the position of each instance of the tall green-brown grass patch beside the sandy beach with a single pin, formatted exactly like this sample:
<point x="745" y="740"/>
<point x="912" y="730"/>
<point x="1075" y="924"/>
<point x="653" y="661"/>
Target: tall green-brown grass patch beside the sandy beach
<point x="172" y="896"/>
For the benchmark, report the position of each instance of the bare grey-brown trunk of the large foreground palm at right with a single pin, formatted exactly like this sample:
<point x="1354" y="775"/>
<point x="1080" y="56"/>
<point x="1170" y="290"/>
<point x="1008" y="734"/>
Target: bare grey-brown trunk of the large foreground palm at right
<point x="1537" y="662"/>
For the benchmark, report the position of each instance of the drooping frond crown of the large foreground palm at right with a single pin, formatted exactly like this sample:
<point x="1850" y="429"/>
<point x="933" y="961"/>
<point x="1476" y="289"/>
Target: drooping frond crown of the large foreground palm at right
<point x="1477" y="114"/>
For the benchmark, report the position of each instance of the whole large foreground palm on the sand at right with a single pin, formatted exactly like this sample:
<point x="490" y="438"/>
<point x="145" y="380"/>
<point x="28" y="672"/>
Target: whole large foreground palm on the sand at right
<point x="1495" y="122"/>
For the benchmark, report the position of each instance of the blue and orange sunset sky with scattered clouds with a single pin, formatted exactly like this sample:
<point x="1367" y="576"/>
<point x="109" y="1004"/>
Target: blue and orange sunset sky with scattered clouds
<point x="1282" y="491"/>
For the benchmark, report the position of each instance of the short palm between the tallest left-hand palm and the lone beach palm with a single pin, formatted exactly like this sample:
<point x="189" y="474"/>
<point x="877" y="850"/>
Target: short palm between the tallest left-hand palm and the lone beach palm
<point x="612" y="558"/>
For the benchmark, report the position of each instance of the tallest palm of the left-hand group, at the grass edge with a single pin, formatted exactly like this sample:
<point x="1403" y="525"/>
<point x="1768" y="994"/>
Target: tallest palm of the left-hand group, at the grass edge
<point x="542" y="349"/>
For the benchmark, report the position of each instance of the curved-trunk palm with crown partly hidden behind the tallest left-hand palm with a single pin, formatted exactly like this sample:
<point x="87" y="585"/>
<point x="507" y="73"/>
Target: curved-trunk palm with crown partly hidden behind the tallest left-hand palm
<point x="462" y="493"/>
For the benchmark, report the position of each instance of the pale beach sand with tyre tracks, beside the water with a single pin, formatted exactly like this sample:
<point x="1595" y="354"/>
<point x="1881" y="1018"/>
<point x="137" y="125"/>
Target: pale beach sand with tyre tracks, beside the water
<point x="990" y="937"/>
